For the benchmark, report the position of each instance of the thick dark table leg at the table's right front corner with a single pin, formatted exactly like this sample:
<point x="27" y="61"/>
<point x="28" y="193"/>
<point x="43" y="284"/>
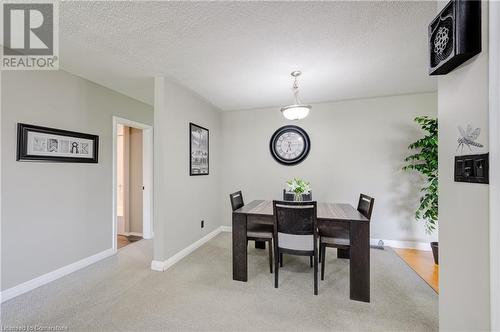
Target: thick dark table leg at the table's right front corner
<point x="360" y="261"/>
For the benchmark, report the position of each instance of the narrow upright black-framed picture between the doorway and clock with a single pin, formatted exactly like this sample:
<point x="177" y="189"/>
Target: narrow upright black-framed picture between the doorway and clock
<point x="197" y="163"/>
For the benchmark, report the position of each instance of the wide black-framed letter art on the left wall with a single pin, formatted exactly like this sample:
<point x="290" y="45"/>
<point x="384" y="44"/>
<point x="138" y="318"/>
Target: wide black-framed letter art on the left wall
<point x="23" y="151"/>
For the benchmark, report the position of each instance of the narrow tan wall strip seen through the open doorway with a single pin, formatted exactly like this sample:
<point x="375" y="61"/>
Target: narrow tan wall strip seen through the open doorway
<point x="135" y="181"/>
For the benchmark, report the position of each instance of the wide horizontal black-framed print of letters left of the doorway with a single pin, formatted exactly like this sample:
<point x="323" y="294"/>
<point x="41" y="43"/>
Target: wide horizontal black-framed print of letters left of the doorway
<point x="35" y="143"/>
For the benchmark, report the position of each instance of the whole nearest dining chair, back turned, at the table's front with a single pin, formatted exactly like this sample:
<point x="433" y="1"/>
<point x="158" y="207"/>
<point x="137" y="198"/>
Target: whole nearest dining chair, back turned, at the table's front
<point x="295" y="233"/>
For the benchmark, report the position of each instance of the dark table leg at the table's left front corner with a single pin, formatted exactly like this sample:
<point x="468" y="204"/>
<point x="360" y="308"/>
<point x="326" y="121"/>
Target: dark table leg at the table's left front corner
<point x="240" y="272"/>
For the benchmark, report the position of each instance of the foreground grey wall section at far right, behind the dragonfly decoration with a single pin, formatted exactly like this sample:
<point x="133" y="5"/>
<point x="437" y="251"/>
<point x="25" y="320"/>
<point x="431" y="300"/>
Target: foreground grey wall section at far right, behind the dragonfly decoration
<point x="463" y="208"/>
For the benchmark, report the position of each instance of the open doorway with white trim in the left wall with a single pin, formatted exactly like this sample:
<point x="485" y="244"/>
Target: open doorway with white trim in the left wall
<point x="132" y="182"/>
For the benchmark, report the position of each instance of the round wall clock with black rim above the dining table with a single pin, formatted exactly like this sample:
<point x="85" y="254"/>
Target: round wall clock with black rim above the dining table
<point x="290" y="145"/>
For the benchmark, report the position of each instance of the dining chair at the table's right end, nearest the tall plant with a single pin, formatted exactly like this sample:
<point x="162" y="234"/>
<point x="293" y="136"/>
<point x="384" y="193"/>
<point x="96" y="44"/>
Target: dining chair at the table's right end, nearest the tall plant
<point x="341" y="240"/>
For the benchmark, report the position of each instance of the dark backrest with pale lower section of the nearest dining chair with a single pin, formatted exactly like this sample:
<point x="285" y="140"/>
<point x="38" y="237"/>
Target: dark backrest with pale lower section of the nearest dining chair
<point x="295" y="225"/>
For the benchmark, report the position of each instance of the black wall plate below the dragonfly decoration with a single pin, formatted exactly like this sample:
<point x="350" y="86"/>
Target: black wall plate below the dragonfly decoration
<point x="472" y="168"/>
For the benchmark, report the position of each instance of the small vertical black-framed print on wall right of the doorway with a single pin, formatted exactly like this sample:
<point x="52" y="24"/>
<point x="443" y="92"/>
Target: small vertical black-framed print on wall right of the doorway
<point x="198" y="150"/>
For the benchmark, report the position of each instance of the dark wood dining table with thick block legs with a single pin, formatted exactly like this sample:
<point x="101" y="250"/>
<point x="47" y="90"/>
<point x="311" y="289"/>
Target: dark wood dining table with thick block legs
<point x="333" y="218"/>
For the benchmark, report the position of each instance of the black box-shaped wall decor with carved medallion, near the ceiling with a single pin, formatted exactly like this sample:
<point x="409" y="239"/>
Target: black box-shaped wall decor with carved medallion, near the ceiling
<point x="454" y="36"/>
